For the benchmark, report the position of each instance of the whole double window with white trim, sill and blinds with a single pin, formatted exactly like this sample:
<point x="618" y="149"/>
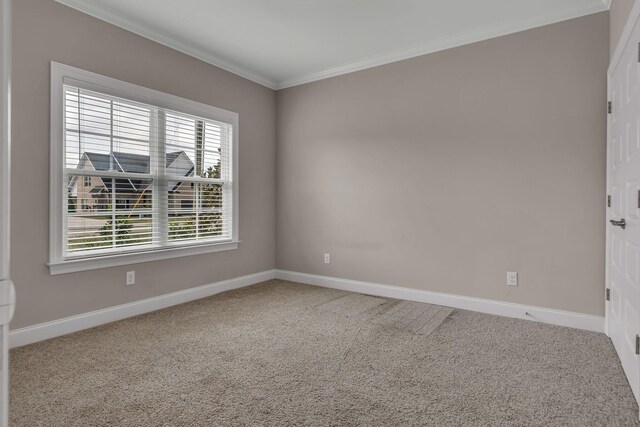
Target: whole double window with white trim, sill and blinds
<point x="156" y="174"/>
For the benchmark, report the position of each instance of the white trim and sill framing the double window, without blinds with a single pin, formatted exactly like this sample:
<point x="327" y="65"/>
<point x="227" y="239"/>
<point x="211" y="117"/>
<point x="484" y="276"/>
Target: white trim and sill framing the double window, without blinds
<point x="63" y="74"/>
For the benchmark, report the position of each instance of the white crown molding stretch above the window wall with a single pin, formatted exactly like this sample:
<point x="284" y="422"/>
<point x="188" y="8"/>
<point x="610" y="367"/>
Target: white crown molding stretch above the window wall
<point x="175" y="43"/>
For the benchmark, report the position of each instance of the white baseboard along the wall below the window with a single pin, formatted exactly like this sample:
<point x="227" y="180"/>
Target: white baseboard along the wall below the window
<point x="43" y="331"/>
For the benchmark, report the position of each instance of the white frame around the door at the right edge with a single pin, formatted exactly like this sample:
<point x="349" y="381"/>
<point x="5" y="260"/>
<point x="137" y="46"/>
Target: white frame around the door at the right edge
<point x="633" y="19"/>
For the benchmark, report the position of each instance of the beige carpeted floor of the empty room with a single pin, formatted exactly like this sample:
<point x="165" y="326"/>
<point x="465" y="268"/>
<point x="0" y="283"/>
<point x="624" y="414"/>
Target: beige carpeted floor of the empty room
<point x="281" y="354"/>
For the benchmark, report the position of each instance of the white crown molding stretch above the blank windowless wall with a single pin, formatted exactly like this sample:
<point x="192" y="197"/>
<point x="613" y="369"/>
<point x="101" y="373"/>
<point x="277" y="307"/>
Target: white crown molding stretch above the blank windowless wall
<point x="456" y="40"/>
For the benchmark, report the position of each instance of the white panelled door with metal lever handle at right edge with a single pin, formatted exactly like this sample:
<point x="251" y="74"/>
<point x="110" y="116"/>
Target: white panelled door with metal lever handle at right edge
<point x="624" y="190"/>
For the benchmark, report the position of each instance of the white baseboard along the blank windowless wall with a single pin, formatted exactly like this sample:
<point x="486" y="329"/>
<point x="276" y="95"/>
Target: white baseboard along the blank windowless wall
<point x="500" y="308"/>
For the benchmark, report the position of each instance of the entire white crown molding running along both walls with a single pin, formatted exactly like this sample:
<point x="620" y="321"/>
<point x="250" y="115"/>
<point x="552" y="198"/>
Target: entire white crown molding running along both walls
<point x="460" y="39"/>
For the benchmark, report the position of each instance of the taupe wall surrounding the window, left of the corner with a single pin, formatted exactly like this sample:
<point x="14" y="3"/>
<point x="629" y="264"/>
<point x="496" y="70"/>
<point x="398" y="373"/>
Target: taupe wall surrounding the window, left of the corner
<point x="45" y="31"/>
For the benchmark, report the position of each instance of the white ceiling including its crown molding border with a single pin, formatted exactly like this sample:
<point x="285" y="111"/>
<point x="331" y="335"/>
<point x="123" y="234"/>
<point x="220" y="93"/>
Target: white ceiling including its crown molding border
<point x="282" y="43"/>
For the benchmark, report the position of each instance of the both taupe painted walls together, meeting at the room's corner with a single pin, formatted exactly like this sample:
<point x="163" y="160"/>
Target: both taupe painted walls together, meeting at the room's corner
<point x="439" y="173"/>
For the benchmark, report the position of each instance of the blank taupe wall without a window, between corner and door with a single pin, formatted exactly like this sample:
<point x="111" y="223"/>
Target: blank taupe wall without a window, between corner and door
<point x="444" y="172"/>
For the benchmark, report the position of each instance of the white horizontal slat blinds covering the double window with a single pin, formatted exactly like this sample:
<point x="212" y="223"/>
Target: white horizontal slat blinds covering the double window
<point x="141" y="177"/>
